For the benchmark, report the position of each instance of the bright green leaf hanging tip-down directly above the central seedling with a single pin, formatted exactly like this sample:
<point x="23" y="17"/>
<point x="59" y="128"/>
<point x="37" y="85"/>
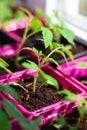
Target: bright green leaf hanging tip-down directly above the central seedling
<point x="47" y="36"/>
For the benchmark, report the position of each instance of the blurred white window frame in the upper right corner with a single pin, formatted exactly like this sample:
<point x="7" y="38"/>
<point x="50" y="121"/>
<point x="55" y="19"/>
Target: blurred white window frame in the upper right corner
<point x="68" y="10"/>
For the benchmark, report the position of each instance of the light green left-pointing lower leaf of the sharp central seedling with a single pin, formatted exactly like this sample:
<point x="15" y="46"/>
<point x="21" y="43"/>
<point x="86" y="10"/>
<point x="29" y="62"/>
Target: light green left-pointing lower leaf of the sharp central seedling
<point x="30" y="65"/>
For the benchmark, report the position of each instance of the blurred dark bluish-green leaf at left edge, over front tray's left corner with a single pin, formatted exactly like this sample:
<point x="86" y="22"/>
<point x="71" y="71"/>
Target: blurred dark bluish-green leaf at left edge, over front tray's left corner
<point x="7" y="89"/>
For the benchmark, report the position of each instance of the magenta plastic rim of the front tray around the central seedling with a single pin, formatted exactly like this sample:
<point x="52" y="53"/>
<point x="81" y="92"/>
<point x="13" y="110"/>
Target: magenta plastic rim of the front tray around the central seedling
<point x="51" y="111"/>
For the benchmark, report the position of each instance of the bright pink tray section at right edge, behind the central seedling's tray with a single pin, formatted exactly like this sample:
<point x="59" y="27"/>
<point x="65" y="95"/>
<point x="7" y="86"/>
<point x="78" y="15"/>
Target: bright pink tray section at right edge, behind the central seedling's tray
<point x="71" y="69"/>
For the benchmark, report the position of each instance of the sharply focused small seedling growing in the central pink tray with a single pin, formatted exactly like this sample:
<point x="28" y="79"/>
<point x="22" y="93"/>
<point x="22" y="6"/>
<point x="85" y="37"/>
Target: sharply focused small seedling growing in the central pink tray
<point x="40" y="75"/>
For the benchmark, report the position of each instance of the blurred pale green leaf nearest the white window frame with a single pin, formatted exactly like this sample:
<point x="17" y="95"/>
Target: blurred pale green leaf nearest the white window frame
<point x="67" y="34"/>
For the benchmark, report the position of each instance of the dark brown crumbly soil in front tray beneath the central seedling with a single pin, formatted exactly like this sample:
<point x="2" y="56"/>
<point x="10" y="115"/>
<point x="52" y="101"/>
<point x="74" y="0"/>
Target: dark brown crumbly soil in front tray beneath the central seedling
<point x="43" y="96"/>
